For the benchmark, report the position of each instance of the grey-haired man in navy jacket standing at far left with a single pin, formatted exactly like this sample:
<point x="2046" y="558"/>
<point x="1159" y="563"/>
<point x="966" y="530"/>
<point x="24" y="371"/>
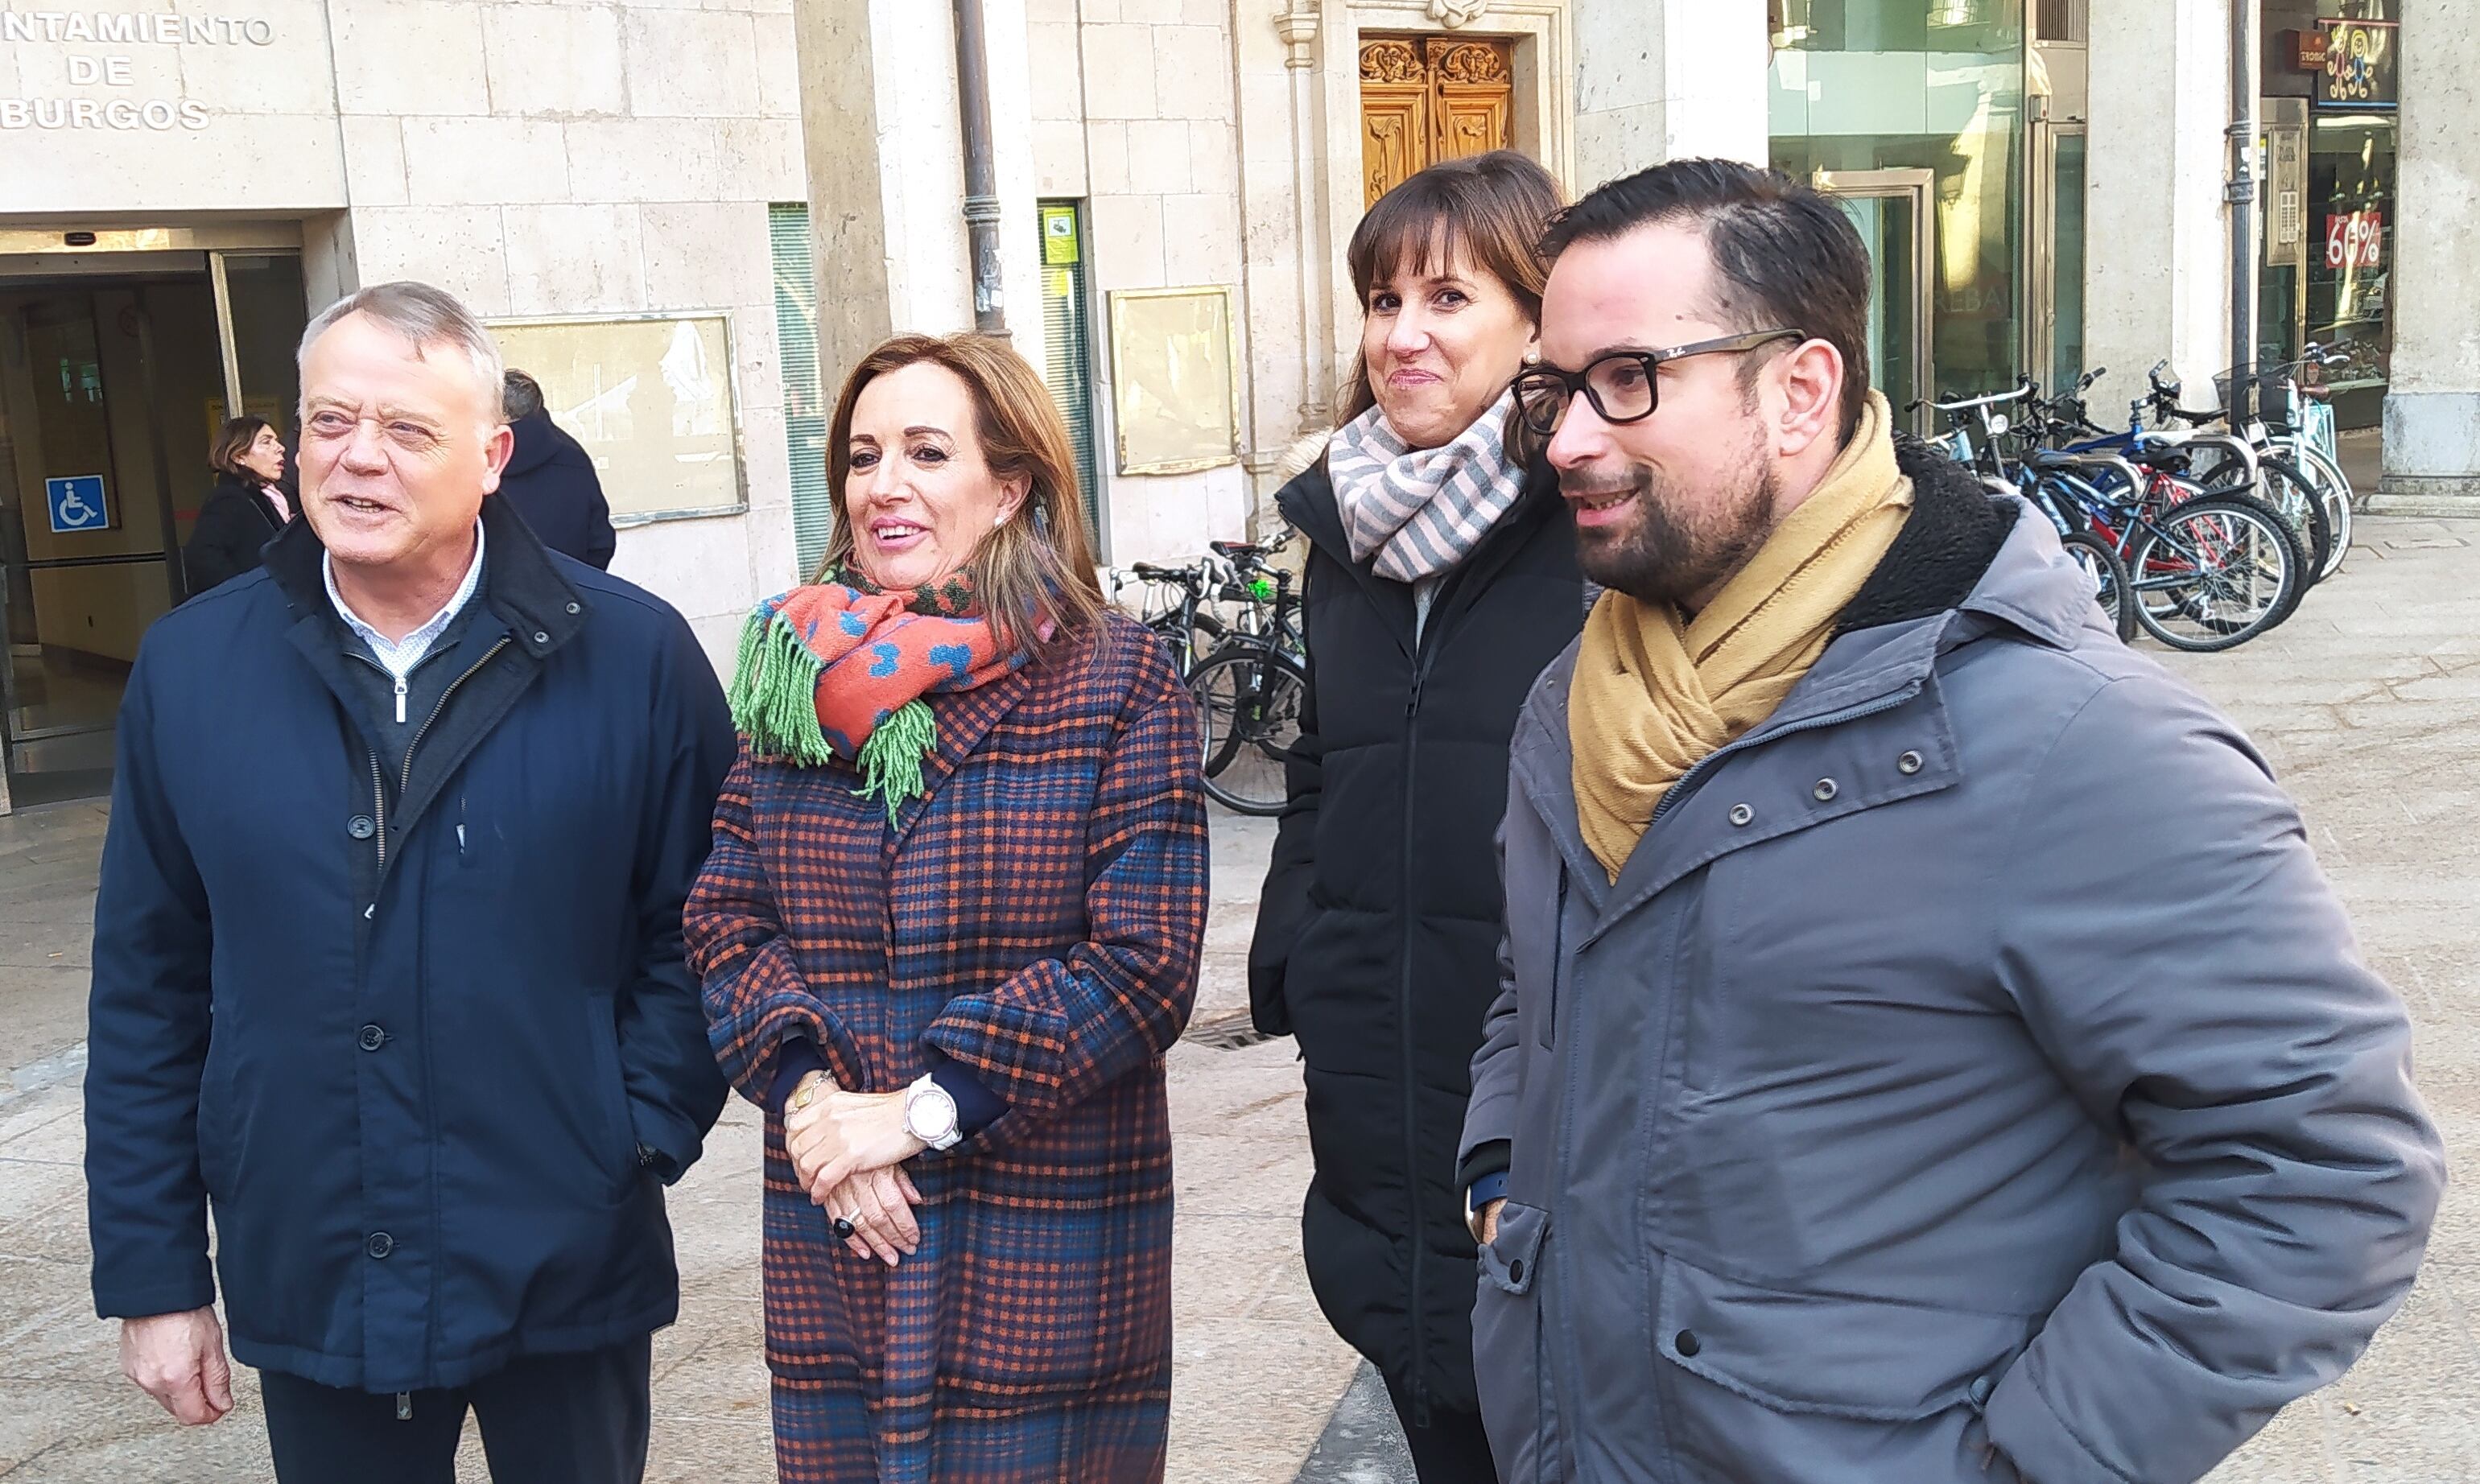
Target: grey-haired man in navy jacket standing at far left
<point x="388" y="962"/>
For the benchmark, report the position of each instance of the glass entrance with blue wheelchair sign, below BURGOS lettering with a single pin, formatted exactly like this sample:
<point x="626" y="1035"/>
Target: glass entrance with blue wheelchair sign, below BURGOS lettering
<point x="113" y="388"/>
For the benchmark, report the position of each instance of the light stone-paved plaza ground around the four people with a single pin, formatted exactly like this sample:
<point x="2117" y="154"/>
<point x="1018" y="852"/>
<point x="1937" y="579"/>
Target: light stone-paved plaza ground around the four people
<point x="2367" y="705"/>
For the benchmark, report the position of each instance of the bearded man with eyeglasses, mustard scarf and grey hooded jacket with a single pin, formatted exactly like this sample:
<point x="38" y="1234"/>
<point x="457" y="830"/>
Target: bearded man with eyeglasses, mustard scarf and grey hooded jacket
<point x="1928" y="1049"/>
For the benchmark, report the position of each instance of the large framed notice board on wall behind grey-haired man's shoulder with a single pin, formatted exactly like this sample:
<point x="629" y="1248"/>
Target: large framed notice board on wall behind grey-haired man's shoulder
<point x="651" y="400"/>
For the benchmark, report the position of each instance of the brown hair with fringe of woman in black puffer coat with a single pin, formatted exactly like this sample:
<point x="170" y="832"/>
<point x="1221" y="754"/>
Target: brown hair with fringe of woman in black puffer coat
<point x="1487" y="209"/>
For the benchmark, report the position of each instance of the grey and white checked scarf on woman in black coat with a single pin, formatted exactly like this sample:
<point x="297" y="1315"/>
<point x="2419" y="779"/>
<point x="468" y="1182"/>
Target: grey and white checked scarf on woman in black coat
<point x="1420" y="512"/>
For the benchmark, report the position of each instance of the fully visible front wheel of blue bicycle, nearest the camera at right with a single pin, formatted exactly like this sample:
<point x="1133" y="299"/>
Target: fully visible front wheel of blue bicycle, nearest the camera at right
<point x="2213" y="574"/>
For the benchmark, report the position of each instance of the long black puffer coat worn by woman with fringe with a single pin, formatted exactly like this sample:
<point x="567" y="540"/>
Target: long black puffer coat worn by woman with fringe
<point x="1378" y="933"/>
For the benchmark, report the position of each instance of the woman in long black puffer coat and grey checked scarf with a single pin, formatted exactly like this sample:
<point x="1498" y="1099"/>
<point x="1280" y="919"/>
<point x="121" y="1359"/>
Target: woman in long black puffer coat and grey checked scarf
<point x="1442" y="581"/>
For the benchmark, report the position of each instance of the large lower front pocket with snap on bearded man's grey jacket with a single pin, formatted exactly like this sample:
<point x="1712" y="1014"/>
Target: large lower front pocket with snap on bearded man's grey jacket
<point x="1831" y="1356"/>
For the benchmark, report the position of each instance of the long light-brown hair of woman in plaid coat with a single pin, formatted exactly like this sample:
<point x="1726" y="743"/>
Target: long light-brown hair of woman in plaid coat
<point x="1040" y="566"/>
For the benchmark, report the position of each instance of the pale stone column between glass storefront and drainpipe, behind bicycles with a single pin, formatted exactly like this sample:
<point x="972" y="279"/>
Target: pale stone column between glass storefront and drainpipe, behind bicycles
<point x="2156" y="279"/>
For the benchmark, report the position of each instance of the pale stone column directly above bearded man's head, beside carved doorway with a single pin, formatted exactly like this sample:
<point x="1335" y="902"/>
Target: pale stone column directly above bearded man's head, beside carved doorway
<point x="1668" y="81"/>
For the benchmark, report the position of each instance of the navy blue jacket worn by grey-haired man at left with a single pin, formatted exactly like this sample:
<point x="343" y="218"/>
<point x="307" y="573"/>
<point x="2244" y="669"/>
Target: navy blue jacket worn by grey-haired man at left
<point x="420" y="1037"/>
